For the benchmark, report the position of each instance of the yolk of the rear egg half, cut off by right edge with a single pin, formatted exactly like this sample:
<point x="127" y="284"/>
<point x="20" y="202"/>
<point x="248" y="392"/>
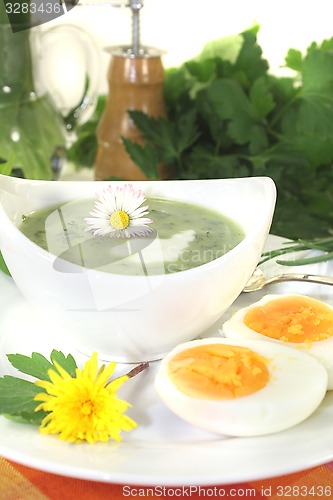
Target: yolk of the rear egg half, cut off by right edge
<point x="292" y="319"/>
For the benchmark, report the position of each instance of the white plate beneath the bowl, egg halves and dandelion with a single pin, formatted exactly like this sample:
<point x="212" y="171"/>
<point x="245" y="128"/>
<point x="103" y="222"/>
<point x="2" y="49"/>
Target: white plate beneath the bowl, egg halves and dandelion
<point x="163" y="450"/>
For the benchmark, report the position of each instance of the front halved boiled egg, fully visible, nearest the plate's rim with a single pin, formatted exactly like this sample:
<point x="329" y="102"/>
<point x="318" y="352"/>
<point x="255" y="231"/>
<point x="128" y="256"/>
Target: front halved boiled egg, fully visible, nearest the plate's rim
<point x="240" y="387"/>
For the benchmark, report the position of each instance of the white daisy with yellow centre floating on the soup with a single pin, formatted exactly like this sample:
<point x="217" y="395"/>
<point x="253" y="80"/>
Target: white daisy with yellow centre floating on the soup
<point x="118" y="213"/>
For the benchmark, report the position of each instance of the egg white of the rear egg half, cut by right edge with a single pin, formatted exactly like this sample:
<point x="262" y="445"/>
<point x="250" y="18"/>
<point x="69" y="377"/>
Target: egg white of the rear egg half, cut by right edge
<point x="322" y="350"/>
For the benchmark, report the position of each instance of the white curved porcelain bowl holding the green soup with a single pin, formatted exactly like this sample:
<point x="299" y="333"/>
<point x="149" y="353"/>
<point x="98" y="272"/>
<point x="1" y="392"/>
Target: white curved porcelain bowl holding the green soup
<point x="134" y="318"/>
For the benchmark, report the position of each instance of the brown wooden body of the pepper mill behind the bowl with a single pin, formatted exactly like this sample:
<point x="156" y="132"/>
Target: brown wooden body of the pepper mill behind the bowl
<point x="135" y="83"/>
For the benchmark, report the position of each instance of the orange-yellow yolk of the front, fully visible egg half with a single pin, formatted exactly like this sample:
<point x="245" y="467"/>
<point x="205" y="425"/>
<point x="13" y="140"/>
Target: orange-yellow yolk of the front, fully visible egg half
<point x="218" y="371"/>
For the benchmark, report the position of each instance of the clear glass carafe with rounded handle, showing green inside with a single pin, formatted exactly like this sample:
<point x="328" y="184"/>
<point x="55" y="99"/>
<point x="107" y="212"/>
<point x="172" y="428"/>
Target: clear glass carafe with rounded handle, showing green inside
<point x="35" y="126"/>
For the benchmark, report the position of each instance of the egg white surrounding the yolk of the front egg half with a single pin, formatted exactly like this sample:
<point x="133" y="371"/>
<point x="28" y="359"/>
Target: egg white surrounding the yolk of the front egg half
<point x="296" y="387"/>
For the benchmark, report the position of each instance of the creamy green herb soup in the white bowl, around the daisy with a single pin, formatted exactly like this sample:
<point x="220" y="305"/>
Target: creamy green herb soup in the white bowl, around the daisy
<point x="184" y="236"/>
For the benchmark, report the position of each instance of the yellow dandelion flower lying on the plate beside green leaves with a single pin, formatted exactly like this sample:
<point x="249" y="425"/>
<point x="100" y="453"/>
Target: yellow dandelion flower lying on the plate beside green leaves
<point x="84" y="408"/>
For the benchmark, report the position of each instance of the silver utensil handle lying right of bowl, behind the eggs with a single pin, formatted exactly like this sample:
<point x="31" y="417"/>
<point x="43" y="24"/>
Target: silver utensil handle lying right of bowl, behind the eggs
<point x="258" y="280"/>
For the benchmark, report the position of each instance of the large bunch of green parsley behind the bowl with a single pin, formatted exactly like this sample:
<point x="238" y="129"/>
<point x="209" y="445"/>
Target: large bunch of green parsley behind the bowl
<point x="228" y="116"/>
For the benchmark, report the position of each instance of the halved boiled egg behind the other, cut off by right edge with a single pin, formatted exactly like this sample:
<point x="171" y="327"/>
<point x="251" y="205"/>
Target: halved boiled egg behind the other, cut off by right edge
<point x="297" y="321"/>
